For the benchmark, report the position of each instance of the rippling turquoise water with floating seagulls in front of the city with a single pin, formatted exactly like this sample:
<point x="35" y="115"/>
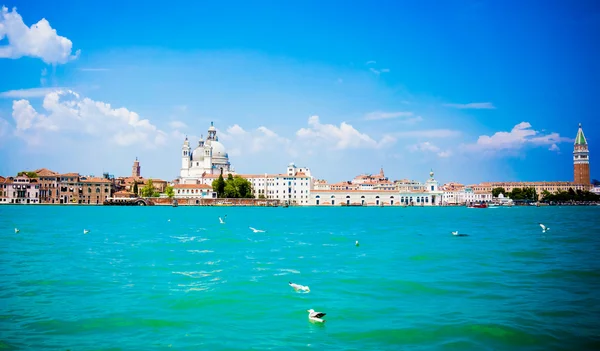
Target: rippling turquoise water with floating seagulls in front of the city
<point x="138" y="281"/>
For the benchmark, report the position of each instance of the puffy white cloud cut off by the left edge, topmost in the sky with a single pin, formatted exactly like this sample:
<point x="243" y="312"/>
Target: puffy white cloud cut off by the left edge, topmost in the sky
<point x="40" y="40"/>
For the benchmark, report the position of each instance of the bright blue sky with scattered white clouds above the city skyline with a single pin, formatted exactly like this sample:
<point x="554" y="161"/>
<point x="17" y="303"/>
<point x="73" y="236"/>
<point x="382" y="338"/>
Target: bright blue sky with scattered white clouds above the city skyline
<point x="476" y="90"/>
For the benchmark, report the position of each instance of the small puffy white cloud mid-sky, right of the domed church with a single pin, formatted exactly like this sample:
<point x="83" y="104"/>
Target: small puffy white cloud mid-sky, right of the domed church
<point x="343" y="137"/>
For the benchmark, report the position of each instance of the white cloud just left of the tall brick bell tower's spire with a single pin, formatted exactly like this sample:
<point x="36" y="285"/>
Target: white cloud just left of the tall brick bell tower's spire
<point x="520" y="136"/>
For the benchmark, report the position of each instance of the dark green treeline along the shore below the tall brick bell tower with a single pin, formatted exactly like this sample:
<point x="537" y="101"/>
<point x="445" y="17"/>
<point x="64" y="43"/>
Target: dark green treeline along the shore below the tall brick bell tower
<point x="529" y="194"/>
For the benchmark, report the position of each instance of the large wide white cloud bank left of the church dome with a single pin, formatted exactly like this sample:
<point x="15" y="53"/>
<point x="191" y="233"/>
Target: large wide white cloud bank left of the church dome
<point x="68" y="114"/>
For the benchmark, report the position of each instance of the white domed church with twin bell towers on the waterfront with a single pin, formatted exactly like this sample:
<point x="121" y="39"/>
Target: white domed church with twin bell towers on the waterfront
<point x="209" y="157"/>
